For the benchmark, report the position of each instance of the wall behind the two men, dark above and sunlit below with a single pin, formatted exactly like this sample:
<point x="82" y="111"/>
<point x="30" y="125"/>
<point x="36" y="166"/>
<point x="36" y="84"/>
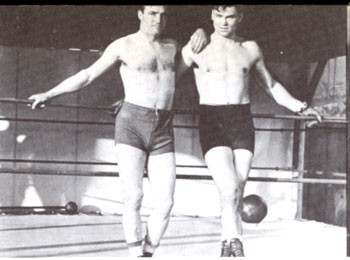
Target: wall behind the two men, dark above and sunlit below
<point x="34" y="56"/>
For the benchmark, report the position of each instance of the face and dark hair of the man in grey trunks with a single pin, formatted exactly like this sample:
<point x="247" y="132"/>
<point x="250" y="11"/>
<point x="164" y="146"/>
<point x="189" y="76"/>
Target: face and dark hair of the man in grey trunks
<point x="153" y="19"/>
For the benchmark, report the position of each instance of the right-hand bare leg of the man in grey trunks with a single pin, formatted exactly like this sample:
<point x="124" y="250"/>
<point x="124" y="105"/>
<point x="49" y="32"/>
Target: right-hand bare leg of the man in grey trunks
<point x="162" y="176"/>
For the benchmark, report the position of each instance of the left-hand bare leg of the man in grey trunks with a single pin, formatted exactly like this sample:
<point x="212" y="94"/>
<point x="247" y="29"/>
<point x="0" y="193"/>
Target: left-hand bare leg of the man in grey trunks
<point x="131" y="163"/>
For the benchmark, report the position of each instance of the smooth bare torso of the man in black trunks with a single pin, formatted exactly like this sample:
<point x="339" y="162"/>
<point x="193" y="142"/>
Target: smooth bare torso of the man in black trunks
<point x="222" y="71"/>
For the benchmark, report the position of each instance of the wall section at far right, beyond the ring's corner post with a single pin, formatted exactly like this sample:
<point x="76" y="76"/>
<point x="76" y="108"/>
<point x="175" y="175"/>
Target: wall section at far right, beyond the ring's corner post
<point x="326" y="149"/>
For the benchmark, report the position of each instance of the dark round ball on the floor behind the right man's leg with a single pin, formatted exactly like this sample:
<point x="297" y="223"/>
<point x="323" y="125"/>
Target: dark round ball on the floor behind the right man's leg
<point x="254" y="209"/>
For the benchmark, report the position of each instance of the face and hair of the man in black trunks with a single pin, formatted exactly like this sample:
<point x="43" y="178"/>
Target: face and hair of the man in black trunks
<point x="226" y="20"/>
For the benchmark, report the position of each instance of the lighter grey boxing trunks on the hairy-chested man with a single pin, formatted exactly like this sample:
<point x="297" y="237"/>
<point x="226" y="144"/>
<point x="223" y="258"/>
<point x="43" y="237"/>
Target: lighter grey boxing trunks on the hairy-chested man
<point x="148" y="129"/>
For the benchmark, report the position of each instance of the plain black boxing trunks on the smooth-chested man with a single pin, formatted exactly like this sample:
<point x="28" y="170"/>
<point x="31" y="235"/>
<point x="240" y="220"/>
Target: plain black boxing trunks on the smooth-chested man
<point x="228" y="125"/>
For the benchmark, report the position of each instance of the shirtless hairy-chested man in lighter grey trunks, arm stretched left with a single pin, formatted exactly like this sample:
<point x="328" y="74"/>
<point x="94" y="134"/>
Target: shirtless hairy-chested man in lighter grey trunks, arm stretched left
<point x="144" y="123"/>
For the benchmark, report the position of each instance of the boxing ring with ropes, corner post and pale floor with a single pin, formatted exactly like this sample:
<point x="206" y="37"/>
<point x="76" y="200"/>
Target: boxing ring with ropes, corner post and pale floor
<point x="84" y="235"/>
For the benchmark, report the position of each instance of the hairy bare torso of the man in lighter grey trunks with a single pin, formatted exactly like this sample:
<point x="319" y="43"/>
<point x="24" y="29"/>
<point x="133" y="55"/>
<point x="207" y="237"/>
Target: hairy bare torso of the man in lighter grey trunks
<point x="148" y="71"/>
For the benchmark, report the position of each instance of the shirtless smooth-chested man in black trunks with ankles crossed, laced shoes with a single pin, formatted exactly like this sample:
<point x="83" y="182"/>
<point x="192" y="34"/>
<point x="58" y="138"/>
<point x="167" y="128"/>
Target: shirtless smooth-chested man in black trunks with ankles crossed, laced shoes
<point x="226" y="127"/>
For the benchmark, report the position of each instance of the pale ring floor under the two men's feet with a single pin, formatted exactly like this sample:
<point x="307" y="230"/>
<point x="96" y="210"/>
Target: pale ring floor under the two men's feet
<point x="102" y="236"/>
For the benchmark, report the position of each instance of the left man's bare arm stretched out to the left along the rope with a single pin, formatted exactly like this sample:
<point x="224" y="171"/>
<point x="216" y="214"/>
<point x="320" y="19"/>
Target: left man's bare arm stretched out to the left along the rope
<point x="83" y="77"/>
